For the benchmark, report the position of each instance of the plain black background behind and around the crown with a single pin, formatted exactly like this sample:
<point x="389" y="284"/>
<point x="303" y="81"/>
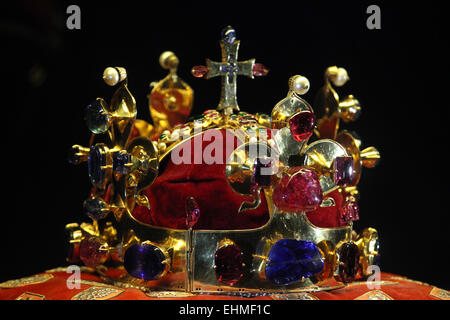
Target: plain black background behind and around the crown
<point x="398" y="73"/>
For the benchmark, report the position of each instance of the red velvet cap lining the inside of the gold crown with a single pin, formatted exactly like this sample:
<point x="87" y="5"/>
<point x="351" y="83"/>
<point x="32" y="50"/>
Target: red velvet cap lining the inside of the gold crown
<point x="218" y="203"/>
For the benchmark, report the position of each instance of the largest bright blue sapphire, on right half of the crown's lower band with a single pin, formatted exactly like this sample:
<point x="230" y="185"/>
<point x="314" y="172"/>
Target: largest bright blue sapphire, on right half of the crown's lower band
<point x="291" y="260"/>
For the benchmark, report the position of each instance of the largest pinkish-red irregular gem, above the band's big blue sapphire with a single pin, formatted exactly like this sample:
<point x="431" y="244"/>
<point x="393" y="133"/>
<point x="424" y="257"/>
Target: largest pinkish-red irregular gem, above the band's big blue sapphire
<point x="298" y="190"/>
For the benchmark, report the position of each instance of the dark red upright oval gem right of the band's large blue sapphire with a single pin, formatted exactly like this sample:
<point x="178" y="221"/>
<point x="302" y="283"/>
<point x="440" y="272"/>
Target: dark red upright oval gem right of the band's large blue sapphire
<point x="348" y="255"/>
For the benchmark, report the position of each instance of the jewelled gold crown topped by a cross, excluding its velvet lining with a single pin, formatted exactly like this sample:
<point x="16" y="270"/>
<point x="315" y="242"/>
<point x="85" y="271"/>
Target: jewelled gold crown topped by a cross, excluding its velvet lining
<point x="274" y="160"/>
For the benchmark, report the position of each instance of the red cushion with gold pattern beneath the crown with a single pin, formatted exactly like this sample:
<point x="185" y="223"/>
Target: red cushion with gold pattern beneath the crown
<point x="53" y="286"/>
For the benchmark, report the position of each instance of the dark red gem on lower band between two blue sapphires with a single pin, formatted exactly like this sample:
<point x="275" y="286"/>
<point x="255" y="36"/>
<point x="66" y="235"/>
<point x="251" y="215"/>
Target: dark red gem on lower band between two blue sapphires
<point x="229" y="264"/>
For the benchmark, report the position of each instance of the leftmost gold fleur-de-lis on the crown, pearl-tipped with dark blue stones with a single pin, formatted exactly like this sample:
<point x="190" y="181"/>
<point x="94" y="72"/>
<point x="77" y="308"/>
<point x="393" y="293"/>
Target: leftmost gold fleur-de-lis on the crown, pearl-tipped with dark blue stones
<point x="119" y="167"/>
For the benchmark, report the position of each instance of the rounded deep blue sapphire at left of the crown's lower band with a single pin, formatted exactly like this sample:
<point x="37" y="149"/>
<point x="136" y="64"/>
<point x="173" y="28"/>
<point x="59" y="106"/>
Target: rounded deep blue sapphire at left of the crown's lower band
<point x="144" y="261"/>
